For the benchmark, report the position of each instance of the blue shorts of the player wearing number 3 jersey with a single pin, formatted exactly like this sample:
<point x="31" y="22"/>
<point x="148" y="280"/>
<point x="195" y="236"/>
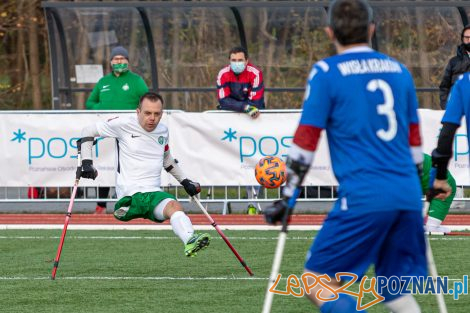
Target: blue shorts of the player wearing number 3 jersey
<point x="351" y="241"/>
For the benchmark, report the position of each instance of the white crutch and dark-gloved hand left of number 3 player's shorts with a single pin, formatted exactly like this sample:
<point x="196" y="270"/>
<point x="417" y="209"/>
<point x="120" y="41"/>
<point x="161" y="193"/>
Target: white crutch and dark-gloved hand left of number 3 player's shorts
<point x="279" y="212"/>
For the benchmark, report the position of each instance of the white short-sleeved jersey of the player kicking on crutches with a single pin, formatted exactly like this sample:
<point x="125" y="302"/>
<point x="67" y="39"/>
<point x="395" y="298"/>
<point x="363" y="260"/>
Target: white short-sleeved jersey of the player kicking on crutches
<point x="139" y="154"/>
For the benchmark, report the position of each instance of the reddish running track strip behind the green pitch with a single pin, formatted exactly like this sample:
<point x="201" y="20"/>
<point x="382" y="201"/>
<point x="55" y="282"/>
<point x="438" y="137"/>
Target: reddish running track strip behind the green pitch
<point x="197" y="219"/>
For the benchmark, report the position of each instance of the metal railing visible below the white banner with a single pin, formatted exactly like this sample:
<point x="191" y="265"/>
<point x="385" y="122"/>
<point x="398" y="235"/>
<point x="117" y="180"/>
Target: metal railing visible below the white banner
<point x="221" y="199"/>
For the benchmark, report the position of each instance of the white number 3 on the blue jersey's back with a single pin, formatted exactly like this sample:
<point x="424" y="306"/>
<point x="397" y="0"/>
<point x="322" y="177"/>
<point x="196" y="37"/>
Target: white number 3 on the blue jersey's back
<point x="385" y="108"/>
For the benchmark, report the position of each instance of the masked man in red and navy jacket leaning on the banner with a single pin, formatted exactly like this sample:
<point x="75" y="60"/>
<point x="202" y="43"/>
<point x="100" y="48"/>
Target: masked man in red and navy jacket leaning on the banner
<point x="240" y="85"/>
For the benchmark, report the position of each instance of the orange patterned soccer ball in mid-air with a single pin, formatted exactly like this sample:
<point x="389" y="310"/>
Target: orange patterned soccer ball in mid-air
<point x="270" y="172"/>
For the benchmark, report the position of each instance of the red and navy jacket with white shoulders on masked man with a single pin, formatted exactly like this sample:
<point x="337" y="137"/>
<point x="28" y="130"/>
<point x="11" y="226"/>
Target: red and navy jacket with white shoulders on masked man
<point x="234" y="91"/>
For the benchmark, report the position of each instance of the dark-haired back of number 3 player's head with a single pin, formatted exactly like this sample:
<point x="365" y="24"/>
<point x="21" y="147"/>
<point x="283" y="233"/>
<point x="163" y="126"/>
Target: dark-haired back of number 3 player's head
<point x="350" y="20"/>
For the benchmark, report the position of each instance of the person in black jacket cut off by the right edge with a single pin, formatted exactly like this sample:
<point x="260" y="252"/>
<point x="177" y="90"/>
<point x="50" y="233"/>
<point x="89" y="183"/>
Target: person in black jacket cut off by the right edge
<point x="457" y="65"/>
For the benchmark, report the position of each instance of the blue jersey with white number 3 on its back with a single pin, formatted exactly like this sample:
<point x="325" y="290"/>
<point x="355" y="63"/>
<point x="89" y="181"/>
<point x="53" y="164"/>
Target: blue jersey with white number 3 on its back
<point x="366" y="102"/>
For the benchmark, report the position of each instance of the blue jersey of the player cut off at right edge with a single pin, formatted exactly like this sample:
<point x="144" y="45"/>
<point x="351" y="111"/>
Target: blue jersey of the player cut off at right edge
<point x="458" y="103"/>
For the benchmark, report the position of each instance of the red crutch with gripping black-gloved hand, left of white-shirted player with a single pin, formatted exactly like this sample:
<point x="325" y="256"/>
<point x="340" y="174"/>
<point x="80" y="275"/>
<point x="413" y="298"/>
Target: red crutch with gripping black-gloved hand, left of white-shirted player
<point x="68" y="215"/>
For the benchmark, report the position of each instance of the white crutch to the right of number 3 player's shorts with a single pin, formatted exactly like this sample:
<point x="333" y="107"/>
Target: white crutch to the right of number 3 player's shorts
<point x="429" y="256"/>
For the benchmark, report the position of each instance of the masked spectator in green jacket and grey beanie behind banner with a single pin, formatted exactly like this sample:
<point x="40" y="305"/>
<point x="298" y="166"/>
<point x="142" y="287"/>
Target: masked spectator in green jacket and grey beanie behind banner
<point x="119" y="90"/>
